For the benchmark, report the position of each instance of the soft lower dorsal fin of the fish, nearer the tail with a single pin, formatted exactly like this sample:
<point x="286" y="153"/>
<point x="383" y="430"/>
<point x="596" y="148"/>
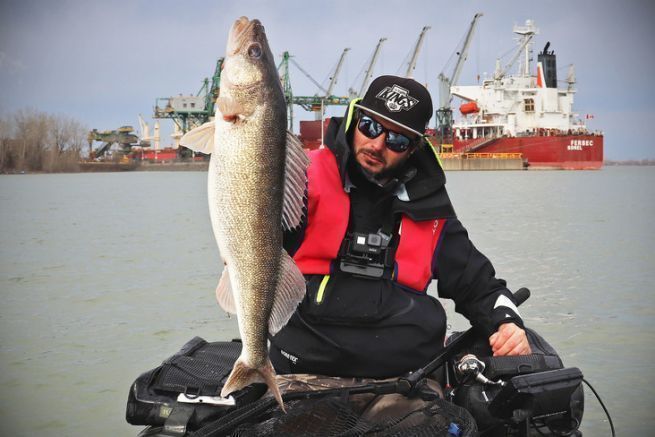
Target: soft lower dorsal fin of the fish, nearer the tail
<point x="290" y="291"/>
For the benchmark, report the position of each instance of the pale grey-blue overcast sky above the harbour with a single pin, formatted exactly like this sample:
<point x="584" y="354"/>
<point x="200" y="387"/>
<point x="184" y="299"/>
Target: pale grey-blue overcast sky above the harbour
<point x="103" y="63"/>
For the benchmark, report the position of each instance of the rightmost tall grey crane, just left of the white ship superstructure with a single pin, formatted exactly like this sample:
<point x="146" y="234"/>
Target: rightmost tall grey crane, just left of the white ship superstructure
<point x="444" y="114"/>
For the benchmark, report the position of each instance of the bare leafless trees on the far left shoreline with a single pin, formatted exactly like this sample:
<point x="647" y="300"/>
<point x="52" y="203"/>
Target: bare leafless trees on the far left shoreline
<point x="32" y="140"/>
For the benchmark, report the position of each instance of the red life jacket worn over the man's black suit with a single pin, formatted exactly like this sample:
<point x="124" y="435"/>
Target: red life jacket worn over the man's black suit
<point x="327" y="223"/>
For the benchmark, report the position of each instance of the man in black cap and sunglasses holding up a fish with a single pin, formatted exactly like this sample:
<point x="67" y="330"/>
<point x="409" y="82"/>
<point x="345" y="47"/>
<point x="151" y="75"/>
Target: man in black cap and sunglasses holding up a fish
<point x="379" y="227"/>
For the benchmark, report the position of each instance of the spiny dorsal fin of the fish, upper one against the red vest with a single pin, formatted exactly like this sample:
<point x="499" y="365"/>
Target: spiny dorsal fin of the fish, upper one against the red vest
<point x="295" y="183"/>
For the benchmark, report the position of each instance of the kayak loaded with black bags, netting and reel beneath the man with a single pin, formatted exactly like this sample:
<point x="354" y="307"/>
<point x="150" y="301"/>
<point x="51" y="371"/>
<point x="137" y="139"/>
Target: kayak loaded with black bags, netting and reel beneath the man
<point x="465" y="396"/>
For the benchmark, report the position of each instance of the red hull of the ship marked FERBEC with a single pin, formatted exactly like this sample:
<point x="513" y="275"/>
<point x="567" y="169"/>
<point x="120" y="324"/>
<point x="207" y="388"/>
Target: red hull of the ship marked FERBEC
<point x="566" y="152"/>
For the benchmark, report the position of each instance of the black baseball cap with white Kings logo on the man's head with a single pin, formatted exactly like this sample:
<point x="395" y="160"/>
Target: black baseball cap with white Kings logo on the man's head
<point x="400" y="100"/>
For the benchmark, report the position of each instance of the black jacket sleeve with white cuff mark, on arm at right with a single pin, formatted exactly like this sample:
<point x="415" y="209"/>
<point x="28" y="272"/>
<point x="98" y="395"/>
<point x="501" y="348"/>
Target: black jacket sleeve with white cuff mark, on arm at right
<point x="466" y="276"/>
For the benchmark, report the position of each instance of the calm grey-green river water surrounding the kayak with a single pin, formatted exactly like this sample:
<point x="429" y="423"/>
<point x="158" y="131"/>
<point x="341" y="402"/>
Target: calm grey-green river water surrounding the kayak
<point x="103" y="276"/>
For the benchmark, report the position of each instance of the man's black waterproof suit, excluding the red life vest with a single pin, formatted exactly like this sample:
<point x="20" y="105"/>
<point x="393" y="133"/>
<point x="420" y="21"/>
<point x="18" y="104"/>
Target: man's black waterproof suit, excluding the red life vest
<point x="364" y="327"/>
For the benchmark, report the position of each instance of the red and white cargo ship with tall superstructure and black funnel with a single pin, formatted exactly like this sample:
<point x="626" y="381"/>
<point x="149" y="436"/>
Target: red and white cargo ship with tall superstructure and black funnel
<point x="526" y="113"/>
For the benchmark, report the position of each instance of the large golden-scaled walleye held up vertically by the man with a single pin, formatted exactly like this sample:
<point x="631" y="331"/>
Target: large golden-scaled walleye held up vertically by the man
<point x="256" y="183"/>
